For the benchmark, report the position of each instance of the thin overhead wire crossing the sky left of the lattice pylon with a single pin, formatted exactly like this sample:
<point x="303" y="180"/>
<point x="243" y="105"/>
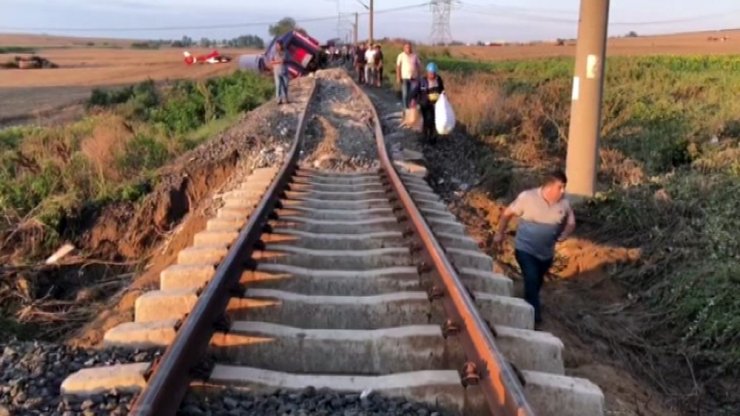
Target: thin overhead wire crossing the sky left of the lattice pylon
<point x="196" y="27"/>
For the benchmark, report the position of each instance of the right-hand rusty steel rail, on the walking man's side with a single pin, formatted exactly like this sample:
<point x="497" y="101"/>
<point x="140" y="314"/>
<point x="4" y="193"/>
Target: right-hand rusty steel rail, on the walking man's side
<point x="497" y="380"/>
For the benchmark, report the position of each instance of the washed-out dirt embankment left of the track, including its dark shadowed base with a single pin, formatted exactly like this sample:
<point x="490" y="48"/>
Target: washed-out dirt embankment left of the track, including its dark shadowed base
<point x="127" y="239"/>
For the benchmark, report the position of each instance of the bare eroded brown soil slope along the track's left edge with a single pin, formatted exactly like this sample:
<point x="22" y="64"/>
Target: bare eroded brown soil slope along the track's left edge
<point x="188" y="196"/>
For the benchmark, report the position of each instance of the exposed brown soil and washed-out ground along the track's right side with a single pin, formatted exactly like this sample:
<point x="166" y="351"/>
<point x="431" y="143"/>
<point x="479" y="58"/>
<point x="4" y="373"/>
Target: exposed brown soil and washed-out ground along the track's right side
<point x="579" y="287"/>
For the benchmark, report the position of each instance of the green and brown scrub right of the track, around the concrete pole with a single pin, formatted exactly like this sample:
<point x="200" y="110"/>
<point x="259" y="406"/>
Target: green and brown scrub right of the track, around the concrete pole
<point x="670" y="175"/>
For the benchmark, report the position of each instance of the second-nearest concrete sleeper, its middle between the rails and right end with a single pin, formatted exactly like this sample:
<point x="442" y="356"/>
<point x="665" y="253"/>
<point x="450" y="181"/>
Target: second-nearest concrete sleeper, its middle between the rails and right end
<point x="372" y="352"/>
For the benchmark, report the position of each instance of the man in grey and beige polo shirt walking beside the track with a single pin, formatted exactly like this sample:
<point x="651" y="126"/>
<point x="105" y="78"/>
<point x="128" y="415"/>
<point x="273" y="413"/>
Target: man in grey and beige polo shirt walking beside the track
<point x="545" y="218"/>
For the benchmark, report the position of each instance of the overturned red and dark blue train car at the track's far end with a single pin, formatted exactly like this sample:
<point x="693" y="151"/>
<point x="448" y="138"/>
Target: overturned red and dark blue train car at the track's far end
<point x="304" y="54"/>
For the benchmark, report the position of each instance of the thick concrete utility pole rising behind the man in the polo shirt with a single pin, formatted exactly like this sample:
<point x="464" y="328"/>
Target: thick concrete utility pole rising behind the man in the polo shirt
<point x="585" y="110"/>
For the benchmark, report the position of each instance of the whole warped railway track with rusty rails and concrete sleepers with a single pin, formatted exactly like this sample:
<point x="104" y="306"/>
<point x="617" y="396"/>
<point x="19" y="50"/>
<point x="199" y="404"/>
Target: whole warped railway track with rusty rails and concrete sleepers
<point x="359" y="282"/>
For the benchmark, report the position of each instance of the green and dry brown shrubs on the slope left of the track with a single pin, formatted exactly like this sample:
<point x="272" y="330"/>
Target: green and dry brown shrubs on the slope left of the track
<point x="49" y="175"/>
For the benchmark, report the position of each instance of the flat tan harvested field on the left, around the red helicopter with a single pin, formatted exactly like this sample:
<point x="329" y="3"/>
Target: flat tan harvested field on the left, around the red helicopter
<point x="44" y="94"/>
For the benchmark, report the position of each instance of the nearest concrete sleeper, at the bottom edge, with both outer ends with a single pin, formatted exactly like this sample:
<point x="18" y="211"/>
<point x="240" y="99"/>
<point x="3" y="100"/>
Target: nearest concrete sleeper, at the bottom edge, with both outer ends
<point x="549" y="394"/>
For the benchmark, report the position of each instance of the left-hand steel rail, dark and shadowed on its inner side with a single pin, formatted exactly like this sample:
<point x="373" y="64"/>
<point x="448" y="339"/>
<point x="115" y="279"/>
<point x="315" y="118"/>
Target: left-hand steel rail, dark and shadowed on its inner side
<point x="170" y="377"/>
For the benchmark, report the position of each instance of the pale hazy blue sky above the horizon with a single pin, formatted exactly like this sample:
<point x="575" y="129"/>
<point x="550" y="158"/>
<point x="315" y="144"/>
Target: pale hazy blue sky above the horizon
<point x="470" y="20"/>
